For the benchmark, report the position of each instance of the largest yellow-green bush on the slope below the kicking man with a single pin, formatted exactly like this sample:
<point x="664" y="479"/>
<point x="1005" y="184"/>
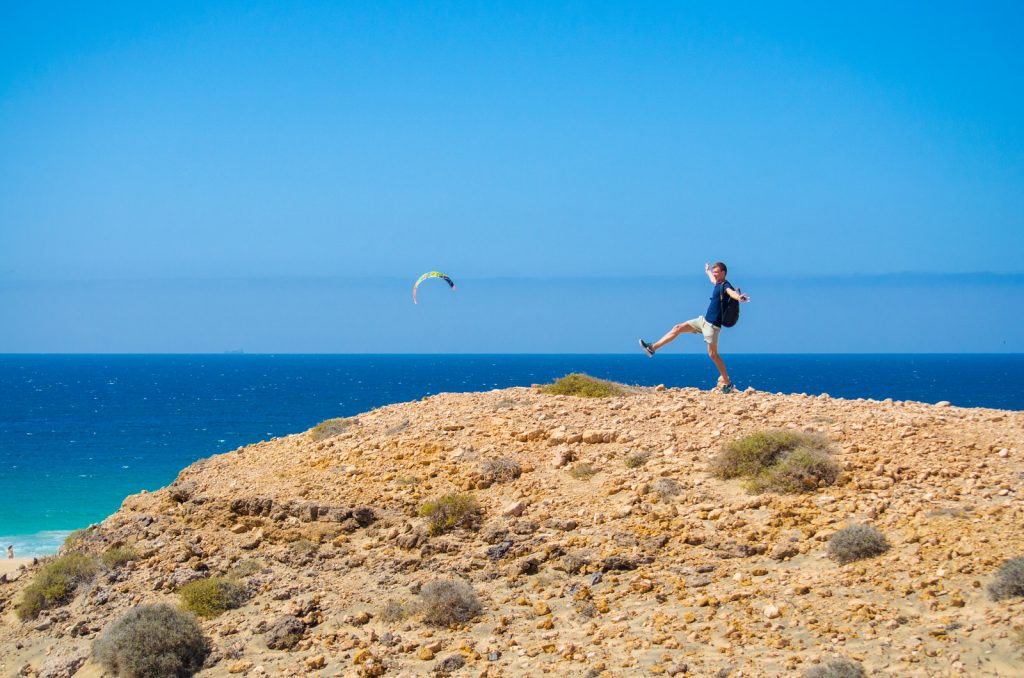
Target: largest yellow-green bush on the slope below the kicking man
<point x="778" y="461"/>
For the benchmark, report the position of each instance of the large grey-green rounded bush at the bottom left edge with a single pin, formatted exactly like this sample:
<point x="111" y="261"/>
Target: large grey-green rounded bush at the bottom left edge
<point x="153" y="642"/>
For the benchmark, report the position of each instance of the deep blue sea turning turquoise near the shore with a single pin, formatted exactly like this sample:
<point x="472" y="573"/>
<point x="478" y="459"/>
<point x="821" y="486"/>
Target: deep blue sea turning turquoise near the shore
<point x="80" y="433"/>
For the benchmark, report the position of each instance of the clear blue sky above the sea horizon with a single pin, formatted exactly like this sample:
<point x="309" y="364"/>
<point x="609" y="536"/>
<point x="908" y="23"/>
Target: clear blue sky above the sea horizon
<point x="194" y="177"/>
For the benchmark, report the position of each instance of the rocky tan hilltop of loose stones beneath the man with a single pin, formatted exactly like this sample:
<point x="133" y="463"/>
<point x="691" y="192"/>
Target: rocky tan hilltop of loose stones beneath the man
<point x="601" y="544"/>
